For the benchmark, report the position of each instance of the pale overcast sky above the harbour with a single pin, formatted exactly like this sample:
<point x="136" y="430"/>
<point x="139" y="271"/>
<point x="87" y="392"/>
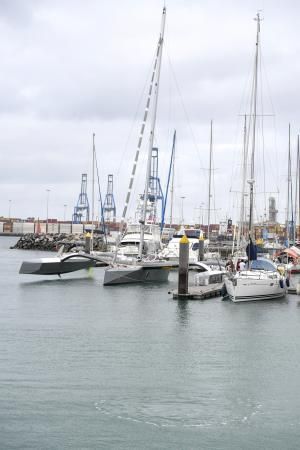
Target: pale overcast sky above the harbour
<point x="71" y="68"/>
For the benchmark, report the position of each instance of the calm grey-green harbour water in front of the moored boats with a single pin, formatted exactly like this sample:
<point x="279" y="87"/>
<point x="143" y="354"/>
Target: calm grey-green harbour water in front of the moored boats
<point x="84" y="366"/>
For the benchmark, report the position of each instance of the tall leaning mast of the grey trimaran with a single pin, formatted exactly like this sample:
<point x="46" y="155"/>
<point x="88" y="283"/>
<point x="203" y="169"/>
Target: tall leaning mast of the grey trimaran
<point x="152" y="129"/>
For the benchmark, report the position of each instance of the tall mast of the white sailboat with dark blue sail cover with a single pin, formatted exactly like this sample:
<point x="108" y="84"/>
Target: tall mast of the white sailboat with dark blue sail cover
<point x="251" y="181"/>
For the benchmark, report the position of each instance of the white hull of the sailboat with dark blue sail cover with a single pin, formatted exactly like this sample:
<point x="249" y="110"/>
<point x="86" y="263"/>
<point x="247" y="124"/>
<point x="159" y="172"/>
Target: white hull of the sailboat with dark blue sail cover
<point x="248" y="286"/>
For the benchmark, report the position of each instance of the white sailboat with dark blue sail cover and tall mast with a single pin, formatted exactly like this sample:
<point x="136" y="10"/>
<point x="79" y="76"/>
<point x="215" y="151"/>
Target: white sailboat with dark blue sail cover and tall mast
<point x="261" y="280"/>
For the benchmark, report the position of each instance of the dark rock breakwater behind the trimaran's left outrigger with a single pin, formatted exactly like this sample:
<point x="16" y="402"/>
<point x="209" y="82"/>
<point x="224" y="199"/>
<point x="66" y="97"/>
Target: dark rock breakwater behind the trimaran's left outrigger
<point x="53" y="242"/>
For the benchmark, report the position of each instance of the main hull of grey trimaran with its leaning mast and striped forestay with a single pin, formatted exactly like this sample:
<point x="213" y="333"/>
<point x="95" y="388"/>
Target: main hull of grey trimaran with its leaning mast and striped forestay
<point x="140" y="268"/>
